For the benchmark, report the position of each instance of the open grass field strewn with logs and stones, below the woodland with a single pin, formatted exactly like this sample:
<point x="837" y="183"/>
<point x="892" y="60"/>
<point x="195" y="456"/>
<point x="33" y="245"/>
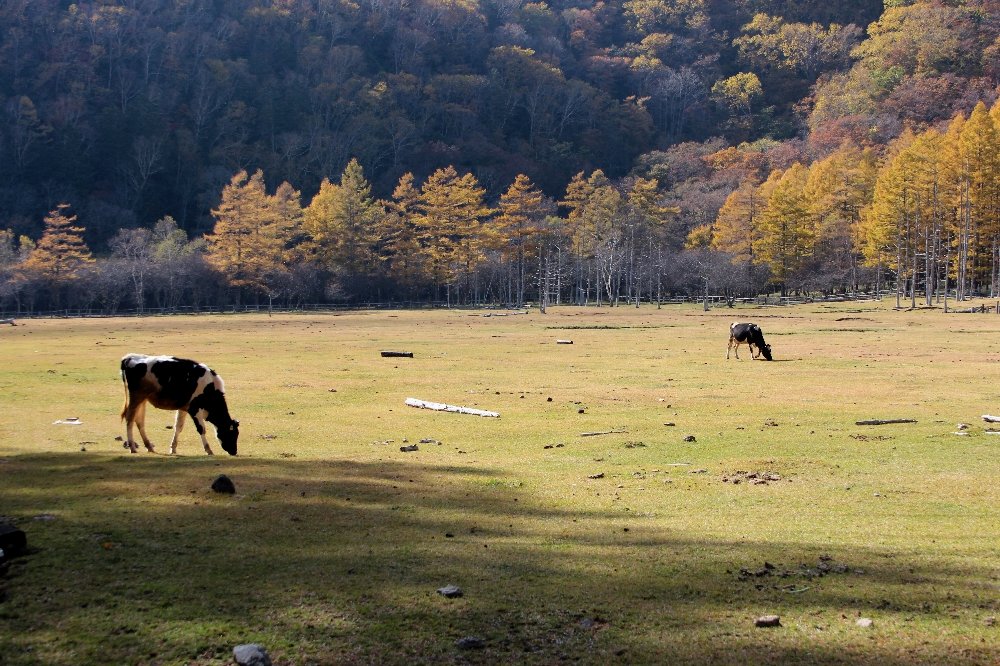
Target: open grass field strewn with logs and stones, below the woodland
<point x="336" y="541"/>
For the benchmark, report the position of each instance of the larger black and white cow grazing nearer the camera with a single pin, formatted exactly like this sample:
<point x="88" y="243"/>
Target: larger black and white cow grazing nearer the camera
<point x="189" y="387"/>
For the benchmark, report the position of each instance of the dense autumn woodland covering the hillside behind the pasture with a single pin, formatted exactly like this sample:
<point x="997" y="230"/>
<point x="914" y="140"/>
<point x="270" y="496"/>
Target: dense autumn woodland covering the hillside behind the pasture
<point x="200" y="153"/>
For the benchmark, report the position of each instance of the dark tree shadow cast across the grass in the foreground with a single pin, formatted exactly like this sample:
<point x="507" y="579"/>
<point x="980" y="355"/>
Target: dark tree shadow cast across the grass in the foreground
<point x="136" y="561"/>
